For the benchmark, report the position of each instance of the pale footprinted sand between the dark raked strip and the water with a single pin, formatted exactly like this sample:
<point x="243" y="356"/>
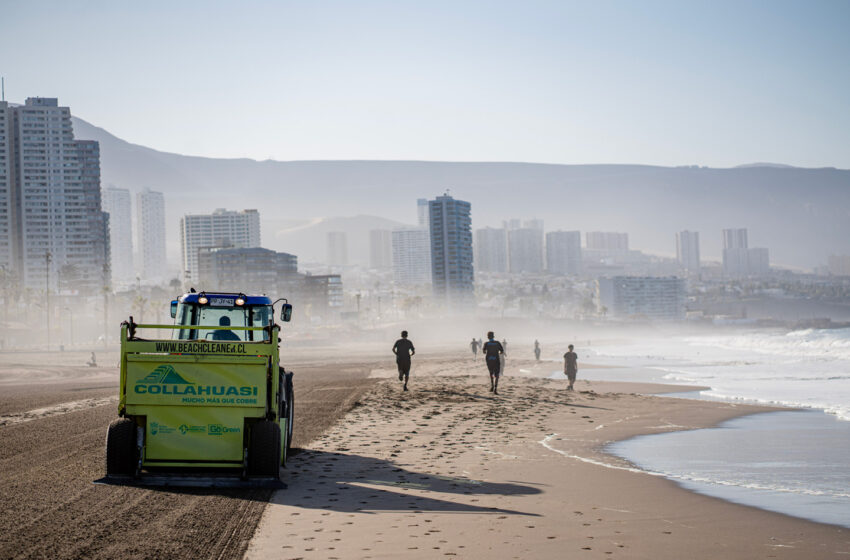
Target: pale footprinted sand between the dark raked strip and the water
<point x="450" y="470"/>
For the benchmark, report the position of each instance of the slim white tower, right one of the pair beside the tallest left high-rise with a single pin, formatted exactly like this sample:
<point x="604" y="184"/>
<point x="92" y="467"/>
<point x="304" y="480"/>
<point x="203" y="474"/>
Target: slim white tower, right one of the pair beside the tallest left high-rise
<point x="150" y="235"/>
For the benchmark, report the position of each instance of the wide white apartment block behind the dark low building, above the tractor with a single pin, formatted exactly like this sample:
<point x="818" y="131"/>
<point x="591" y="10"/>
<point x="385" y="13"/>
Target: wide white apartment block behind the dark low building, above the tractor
<point x="222" y="228"/>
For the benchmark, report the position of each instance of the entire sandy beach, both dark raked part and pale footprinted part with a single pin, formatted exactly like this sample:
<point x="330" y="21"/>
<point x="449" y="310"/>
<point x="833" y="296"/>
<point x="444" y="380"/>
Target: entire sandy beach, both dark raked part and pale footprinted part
<point x="446" y="469"/>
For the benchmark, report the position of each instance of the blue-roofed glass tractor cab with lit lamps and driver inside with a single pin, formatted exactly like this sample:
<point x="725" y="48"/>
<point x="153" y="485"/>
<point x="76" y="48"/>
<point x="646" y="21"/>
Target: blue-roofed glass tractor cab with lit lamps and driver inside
<point x="229" y="315"/>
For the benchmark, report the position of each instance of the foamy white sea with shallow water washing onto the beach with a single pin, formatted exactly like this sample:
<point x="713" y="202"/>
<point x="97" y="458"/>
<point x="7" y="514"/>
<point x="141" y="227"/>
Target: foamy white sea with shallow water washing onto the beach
<point x="793" y="462"/>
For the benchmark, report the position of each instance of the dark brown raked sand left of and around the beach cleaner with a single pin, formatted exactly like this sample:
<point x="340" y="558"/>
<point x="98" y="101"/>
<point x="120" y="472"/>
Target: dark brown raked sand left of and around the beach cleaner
<point x="54" y="411"/>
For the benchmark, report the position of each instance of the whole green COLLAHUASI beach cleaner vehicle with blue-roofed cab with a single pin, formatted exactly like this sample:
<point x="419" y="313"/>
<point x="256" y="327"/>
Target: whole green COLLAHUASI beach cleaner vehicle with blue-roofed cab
<point x="212" y="397"/>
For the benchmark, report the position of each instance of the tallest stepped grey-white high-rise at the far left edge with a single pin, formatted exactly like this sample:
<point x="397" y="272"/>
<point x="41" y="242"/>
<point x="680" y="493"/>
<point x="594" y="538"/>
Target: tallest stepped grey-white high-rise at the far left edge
<point x="52" y="227"/>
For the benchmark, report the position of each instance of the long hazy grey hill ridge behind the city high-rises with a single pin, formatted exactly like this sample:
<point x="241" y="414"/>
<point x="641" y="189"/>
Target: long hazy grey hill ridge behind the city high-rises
<point x="801" y="215"/>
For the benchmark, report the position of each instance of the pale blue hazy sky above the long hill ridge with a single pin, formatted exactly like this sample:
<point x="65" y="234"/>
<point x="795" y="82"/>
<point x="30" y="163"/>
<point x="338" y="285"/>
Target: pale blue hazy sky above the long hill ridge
<point x="667" y="83"/>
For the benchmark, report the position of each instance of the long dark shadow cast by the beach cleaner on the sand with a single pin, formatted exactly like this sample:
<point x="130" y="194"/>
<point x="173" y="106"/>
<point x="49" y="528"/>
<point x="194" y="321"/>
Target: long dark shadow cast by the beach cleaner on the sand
<point x="350" y="483"/>
